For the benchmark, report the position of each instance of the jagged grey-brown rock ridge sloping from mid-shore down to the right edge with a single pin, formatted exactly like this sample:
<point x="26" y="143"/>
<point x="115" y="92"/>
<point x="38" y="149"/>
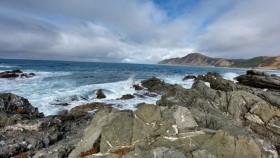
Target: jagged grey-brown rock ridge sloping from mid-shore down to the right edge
<point x="236" y="109"/>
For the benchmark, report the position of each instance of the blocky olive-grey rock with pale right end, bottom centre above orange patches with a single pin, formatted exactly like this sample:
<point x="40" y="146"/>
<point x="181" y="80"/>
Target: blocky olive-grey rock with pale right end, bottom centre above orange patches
<point x="125" y="128"/>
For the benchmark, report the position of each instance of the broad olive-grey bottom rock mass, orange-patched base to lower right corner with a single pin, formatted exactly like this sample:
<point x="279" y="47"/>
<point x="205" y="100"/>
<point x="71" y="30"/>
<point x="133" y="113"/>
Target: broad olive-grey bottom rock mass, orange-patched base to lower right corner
<point x="154" y="131"/>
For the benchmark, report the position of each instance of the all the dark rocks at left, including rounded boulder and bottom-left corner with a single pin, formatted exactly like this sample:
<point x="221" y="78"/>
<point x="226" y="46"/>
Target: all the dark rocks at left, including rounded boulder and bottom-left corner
<point x="26" y="132"/>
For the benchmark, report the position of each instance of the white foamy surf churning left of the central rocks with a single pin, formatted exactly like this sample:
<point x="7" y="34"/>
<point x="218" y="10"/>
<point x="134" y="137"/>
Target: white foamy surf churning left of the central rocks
<point x="47" y="94"/>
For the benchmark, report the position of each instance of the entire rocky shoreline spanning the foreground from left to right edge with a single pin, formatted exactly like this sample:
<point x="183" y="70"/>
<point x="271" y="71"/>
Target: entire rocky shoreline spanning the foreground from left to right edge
<point x="227" y="119"/>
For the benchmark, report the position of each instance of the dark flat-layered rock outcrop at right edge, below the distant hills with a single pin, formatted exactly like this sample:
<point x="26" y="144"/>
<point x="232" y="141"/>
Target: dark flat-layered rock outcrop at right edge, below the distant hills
<point x="258" y="79"/>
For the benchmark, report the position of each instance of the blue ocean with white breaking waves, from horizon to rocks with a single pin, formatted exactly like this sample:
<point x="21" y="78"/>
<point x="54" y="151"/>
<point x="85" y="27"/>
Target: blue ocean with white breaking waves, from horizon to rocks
<point x="77" y="82"/>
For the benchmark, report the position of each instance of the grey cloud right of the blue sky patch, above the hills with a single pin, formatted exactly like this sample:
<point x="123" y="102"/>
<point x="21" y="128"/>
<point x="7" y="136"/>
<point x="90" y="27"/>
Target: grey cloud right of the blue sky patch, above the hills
<point x="249" y="29"/>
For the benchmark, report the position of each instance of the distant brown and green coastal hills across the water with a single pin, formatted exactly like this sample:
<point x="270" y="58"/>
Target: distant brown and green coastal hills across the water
<point x="197" y="59"/>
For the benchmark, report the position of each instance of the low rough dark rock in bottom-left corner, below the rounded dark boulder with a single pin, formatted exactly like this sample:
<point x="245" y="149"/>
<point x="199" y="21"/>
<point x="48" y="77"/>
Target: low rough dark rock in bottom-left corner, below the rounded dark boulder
<point x="33" y="135"/>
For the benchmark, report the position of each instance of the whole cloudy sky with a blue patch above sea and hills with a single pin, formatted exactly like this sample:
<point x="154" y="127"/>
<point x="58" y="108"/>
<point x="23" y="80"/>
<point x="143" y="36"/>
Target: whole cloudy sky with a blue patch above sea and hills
<point x="141" y="31"/>
